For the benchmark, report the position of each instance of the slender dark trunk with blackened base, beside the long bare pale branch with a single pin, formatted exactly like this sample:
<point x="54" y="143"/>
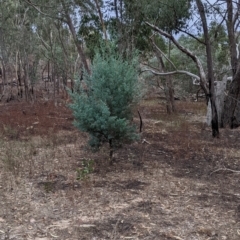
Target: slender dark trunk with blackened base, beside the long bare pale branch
<point x="212" y="96"/>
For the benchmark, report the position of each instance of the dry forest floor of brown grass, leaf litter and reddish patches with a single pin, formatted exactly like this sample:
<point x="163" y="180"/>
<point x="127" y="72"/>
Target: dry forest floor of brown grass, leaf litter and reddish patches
<point x="176" y="183"/>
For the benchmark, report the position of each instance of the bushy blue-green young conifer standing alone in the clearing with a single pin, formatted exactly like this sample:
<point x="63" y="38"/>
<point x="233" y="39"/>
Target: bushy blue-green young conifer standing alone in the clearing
<point x="104" y="106"/>
